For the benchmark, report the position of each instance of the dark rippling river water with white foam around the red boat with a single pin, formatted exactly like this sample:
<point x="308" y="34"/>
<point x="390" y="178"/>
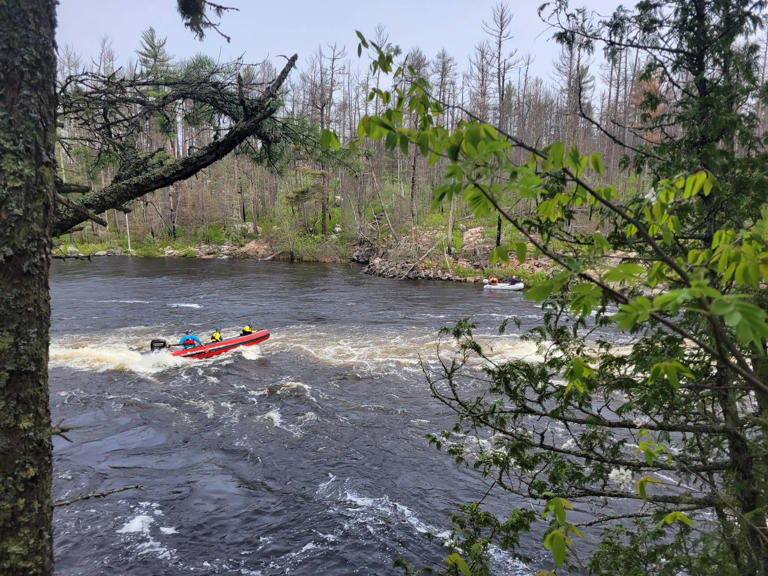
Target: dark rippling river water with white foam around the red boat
<point x="305" y="455"/>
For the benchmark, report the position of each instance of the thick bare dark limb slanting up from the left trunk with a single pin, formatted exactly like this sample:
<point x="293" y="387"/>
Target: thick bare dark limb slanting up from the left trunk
<point x="119" y="193"/>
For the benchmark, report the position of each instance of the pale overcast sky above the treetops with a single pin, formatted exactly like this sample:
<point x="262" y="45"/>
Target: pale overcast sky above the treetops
<point x="262" y="29"/>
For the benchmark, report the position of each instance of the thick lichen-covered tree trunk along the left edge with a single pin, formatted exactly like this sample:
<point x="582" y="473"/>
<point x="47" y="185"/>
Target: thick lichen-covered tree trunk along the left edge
<point x="27" y="126"/>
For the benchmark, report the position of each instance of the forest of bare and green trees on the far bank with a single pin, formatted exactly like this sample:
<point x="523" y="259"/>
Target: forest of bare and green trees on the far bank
<point x="296" y="196"/>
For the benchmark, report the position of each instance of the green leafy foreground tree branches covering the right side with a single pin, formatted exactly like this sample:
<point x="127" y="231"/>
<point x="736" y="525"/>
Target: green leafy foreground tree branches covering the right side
<point x="646" y="408"/>
